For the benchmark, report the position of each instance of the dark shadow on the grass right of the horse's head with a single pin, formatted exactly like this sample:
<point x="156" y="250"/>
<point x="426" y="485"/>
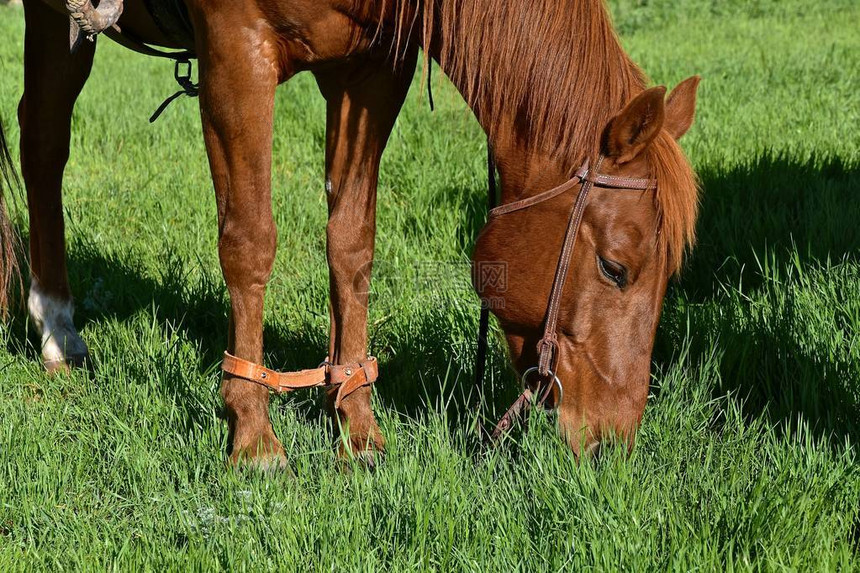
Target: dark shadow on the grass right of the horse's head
<point x="779" y="214"/>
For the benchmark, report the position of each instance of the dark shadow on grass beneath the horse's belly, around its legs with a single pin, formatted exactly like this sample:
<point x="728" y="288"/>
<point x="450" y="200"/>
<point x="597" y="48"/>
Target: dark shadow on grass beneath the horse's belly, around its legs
<point x="108" y="288"/>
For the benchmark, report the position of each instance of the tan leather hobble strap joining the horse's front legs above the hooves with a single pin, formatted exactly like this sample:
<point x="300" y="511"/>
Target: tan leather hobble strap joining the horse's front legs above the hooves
<point x="347" y="378"/>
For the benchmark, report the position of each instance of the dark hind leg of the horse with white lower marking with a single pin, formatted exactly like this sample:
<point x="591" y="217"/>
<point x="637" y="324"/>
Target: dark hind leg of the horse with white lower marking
<point x="53" y="79"/>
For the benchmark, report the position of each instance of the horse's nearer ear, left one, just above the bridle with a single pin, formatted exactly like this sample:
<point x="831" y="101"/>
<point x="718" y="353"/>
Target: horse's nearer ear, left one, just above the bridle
<point x="636" y="126"/>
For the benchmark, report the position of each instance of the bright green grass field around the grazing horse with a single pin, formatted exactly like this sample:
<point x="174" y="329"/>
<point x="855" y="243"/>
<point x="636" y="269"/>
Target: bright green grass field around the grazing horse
<point x="747" y="457"/>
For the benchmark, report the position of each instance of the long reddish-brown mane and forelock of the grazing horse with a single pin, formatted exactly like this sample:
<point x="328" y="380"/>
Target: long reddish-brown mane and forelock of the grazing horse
<point x="558" y="69"/>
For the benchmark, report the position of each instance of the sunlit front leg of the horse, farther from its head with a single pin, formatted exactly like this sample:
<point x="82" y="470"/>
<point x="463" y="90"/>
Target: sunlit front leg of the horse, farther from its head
<point x="238" y="76"/>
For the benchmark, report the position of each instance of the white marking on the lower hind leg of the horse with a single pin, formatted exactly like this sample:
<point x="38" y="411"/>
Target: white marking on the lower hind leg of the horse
<point x="53" y="318"/>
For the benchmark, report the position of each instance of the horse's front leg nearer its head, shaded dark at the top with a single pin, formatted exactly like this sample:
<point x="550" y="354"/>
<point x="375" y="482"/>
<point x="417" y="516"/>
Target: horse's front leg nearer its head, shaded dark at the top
<point x="363" y="102"/>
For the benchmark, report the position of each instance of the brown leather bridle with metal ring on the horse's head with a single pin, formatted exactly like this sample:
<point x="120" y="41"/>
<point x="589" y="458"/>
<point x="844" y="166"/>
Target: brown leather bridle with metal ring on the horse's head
<point x="587" y="178"/>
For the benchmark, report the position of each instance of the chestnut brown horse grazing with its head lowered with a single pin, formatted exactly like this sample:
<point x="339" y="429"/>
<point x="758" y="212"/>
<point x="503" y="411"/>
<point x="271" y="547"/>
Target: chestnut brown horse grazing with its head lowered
<point x="551" y="86"/>
